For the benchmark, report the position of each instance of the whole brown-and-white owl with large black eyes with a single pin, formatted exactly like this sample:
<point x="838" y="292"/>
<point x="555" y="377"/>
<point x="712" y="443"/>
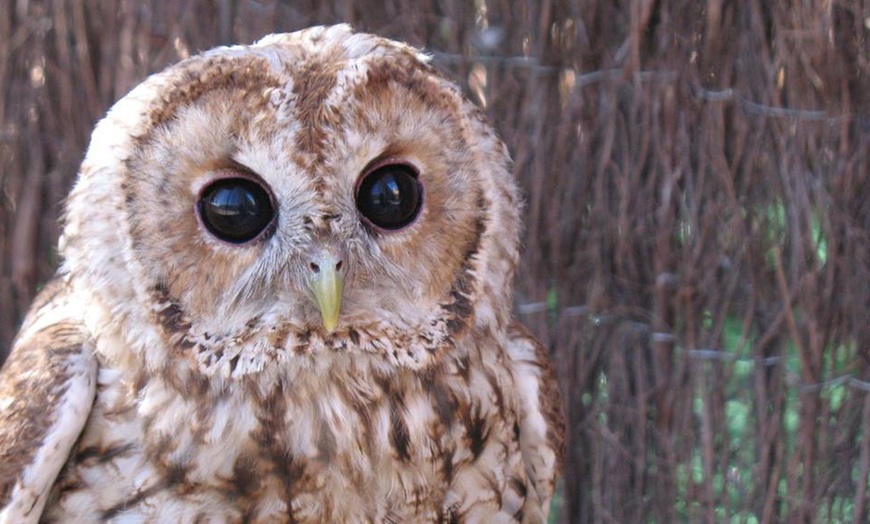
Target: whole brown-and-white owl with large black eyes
<point x="285" y="296"/>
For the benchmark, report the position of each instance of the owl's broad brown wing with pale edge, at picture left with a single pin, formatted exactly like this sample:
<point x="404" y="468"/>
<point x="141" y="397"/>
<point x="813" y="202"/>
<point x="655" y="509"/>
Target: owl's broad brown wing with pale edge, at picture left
<point x="47" y="388"/>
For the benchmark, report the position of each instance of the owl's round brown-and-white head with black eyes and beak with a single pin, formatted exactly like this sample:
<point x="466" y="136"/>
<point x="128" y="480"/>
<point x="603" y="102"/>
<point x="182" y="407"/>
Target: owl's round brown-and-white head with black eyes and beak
<point x="320" y="190"/>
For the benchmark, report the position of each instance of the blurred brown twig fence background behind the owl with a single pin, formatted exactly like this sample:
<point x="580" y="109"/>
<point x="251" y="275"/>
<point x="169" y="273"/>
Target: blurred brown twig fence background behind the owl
<point x="697" y="251"/>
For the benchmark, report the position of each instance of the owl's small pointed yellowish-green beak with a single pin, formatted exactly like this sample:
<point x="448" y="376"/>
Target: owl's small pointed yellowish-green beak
<point x="326" y="272"/>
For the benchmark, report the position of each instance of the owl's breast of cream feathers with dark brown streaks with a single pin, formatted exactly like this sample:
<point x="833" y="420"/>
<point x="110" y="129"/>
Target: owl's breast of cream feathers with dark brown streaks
<point x="349" y="444"/>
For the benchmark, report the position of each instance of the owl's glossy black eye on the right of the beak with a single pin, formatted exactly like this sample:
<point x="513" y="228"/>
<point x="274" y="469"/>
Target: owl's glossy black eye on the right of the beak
<point x="390" y="197"/>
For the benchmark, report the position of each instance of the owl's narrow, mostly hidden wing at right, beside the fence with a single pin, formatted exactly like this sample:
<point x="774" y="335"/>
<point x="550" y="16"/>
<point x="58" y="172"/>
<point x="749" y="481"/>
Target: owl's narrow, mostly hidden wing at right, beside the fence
<point x="542" y="421"/>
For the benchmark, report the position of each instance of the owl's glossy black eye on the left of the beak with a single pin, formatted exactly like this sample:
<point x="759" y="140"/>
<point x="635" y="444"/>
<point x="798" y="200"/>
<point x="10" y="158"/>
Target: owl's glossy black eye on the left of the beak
<point x="235" y="210"/>
